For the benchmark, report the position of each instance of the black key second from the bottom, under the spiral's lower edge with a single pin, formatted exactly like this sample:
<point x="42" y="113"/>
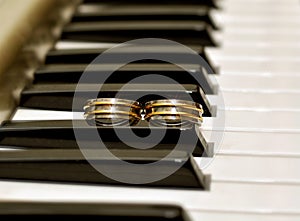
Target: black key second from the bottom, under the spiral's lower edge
<point x="72" y="167"/>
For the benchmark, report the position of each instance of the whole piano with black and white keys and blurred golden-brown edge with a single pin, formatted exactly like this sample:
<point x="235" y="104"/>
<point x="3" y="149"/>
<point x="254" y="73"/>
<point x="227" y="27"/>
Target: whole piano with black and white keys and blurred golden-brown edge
<point x="248" y="159"/>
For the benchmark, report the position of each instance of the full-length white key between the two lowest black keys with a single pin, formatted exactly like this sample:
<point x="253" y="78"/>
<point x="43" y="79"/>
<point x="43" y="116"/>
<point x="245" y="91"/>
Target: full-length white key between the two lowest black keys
<point x="224" y="196"/>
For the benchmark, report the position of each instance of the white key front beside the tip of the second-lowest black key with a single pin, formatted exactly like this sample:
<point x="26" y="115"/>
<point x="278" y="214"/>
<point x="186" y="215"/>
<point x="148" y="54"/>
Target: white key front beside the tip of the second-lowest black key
<point x="254" y="168"/>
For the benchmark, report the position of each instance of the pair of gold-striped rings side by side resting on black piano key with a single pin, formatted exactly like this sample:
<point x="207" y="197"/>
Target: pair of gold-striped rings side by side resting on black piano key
<point x="121" y="112"/>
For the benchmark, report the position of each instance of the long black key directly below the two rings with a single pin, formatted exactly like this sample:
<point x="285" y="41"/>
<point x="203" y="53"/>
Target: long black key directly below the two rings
<point x="60" y="135"/>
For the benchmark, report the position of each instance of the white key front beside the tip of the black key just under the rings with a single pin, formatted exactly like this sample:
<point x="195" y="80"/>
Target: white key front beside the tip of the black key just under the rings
<point x="239" y="142"/>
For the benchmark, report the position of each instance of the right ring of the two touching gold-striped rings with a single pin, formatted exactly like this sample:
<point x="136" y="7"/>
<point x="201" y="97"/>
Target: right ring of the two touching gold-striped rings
<point x="173" y="113"/>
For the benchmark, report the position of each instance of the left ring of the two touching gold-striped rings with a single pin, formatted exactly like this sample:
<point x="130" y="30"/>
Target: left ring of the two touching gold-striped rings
<point x="112" y="112"/>
